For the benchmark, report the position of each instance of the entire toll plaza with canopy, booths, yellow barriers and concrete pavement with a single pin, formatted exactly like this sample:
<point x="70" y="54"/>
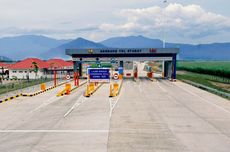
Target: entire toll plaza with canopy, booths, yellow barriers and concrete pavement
<point x="133" y="109"/>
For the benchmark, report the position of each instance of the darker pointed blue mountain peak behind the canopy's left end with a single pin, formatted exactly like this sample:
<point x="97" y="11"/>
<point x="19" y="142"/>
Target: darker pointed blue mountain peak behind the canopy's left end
<point x="77" y="43"/>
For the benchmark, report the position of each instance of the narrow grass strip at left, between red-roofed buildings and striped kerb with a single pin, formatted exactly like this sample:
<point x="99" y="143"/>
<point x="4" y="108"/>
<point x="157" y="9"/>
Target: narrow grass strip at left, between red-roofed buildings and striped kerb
<point x="20" y="85"/>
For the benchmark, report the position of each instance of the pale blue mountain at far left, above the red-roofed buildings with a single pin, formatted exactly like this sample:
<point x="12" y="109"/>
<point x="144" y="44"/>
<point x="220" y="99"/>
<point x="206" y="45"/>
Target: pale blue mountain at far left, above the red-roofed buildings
<point x="20" y="47"/>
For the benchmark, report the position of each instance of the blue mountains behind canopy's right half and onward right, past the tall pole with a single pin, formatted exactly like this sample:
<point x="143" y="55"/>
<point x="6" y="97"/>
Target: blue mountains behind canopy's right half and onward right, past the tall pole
<point x="215" y="51"/>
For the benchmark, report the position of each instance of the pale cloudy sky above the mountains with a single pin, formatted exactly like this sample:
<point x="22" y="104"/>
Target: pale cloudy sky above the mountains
<point x="183" y="21"/>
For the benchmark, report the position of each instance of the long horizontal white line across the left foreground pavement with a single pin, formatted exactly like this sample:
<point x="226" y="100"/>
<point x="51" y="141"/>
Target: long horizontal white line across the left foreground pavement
<point x="54" y="131"/>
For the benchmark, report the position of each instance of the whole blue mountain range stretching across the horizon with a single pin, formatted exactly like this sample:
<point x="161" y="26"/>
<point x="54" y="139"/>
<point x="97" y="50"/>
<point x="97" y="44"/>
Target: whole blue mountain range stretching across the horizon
<point x="21" y="47"/>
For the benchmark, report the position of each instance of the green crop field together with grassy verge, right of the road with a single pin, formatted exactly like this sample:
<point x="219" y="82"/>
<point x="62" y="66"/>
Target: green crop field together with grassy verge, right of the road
<point x="213" y="74"/>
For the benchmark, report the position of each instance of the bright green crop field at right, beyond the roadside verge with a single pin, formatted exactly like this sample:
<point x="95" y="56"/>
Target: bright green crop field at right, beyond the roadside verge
<point x="215" y="68"/>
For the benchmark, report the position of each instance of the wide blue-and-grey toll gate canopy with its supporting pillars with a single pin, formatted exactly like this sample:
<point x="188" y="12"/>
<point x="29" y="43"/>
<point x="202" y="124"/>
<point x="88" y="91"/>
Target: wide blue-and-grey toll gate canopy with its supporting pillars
<point x="167" y="55"/>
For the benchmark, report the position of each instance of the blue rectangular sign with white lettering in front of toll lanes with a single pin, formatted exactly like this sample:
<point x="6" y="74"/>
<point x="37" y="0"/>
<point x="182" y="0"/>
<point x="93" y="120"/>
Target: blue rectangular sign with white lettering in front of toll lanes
<point x="99" y="74"/>
